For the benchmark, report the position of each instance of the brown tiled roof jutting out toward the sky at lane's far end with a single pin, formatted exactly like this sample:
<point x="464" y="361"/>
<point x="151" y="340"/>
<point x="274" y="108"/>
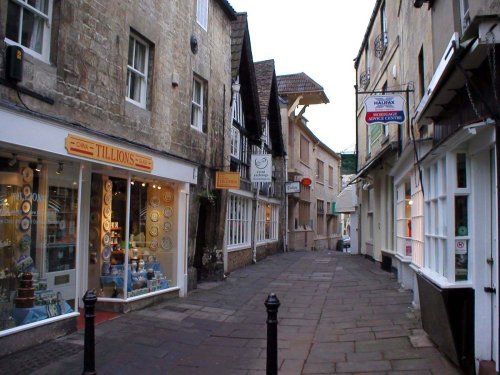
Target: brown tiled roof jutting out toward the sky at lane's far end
<point x="300" y="84"/>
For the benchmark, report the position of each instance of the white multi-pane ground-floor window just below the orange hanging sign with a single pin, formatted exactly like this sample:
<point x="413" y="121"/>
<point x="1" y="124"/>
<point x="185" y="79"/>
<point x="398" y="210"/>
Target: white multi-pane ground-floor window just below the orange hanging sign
<point x="238" y="221"/>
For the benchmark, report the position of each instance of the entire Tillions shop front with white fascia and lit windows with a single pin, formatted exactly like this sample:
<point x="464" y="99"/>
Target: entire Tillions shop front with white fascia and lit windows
<point x="80" y="211"/>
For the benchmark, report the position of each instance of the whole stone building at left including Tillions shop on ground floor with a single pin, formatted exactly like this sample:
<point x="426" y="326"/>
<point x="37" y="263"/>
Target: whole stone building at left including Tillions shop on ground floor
<point x="110" y="134"/>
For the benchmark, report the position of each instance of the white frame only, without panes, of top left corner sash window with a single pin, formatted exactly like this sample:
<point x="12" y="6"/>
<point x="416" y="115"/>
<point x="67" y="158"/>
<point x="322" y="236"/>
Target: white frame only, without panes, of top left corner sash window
<point x="45" y="51"/>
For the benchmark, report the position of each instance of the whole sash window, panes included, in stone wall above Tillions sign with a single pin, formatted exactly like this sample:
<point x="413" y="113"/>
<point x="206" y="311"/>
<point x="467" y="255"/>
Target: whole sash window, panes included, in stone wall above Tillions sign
<point x="137" y="70"/>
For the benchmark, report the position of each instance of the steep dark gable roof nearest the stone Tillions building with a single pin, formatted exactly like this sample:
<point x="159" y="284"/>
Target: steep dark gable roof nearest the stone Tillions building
<point x="242" y="66"/>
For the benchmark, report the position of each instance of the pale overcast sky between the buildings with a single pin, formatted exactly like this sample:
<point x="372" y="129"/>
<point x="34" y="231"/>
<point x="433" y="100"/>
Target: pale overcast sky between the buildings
<point x="320" y="38"/>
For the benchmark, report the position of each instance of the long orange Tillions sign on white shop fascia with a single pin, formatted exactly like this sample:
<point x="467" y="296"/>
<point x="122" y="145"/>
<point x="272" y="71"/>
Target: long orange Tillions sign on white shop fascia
<point x="90" y="149"/>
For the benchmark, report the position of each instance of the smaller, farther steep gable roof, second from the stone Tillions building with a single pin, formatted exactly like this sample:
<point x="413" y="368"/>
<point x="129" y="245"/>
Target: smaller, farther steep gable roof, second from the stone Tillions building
<point x="268" y="100"/>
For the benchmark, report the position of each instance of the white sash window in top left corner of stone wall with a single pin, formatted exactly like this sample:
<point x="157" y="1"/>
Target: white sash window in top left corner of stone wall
<point x="28" y="25"/>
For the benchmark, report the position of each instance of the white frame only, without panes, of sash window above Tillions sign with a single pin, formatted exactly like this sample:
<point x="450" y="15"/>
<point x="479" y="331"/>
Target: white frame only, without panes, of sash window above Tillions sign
<point x="142" y="76"/>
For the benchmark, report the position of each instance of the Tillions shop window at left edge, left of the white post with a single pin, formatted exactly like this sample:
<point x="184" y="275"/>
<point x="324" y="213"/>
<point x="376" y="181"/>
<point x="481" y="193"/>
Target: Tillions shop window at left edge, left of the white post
<point x="38" y="231"/>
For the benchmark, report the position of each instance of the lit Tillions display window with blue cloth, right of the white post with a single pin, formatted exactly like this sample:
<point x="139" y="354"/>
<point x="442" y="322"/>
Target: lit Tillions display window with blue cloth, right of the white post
<point x="135" y="254"/>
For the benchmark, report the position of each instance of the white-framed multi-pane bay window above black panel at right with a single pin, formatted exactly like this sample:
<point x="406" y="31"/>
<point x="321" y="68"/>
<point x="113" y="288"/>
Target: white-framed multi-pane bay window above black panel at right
<point x="447" y="220"/>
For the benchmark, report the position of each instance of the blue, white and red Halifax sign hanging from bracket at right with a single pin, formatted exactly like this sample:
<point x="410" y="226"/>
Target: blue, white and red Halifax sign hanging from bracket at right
<point x="384" y="109"/>
